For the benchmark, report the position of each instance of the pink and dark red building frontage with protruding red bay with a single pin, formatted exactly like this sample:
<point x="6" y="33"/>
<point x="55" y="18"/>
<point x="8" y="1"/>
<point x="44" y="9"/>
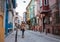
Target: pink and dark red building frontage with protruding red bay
<point x="48" y="13"/>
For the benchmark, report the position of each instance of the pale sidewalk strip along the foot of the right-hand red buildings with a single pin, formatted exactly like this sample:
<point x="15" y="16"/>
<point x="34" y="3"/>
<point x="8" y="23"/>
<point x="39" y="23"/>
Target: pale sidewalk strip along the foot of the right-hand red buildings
<point x="50" y="36"/>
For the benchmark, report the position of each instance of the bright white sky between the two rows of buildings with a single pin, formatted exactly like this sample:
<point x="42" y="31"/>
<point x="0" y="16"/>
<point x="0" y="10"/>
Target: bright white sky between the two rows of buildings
<point x="21" y="6"/>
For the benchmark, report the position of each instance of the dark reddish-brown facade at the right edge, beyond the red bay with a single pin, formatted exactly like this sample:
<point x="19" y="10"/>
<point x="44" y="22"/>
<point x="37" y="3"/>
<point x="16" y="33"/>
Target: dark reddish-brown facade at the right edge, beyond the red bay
<point x="54" y="6"/>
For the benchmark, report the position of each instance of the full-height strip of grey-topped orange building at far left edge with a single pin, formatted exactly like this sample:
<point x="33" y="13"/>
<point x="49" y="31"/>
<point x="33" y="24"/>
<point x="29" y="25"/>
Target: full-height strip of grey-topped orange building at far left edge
<point x="1" y="20"/>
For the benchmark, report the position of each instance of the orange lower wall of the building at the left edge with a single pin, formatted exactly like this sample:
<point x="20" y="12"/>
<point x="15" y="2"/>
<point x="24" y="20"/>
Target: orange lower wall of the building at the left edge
<point x="1" y="27"/>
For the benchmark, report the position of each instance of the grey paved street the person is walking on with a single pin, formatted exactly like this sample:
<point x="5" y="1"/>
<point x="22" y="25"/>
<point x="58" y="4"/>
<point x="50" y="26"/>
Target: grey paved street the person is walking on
<point x="30" y="36"/>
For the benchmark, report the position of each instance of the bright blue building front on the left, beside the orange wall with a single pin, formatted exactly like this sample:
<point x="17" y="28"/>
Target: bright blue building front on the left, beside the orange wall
<point x="9" y="6"/>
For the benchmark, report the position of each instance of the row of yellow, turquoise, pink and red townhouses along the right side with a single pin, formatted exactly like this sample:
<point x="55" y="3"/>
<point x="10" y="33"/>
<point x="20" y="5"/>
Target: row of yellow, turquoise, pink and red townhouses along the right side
<point x="45" y="14"/>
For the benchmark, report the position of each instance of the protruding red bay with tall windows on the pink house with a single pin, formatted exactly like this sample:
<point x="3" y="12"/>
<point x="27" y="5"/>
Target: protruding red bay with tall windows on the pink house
<point x="44" y="6"/>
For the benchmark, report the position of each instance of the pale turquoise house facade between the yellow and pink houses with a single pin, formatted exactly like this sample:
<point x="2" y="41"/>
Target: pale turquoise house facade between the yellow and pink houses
<point x="32" y="12"/>
